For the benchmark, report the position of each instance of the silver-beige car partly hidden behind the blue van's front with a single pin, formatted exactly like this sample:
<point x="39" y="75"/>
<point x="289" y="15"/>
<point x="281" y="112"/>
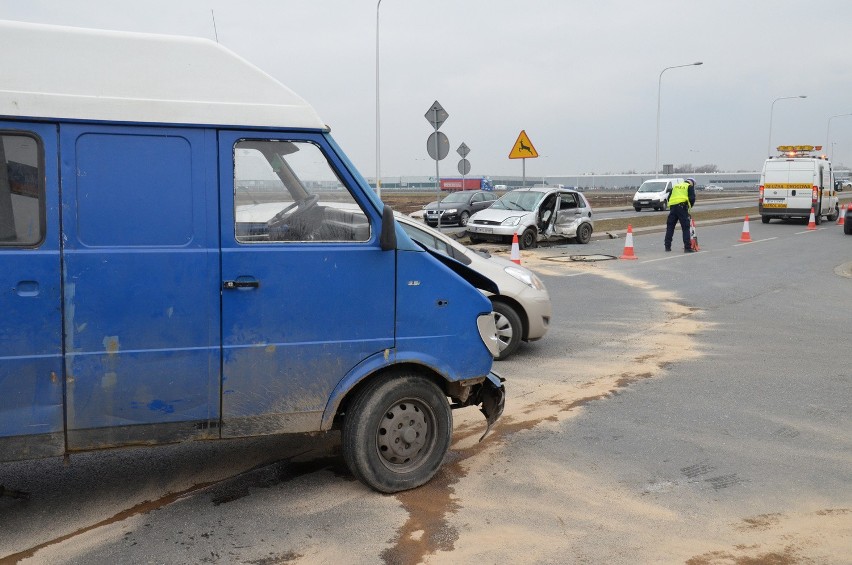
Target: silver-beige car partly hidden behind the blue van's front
<point x="522" y="309"/>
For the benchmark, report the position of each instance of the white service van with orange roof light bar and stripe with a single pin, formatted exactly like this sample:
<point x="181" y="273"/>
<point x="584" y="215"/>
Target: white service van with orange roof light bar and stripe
<point x="795" y="182"/>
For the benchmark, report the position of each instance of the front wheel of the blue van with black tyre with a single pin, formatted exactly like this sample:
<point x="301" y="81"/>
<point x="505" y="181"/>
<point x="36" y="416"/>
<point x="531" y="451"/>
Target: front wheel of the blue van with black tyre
<point x="396" y="432"/>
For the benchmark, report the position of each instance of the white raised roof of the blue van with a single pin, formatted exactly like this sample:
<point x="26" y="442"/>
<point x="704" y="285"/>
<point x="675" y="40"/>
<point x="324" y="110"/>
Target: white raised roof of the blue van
<point x="63" y="72"/>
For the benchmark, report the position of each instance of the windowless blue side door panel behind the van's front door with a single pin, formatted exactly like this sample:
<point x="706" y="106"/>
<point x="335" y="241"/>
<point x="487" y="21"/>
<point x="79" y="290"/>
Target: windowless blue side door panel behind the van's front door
<point x="141" y="292"/>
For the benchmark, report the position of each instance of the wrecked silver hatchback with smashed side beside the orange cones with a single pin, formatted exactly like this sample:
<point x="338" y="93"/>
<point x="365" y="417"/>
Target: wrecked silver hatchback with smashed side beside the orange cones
<point x="535" y="214"/>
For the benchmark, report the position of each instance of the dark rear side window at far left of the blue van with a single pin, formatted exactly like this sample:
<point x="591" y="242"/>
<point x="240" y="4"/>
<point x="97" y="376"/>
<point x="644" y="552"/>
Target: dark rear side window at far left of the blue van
<point x="21" y="190"/>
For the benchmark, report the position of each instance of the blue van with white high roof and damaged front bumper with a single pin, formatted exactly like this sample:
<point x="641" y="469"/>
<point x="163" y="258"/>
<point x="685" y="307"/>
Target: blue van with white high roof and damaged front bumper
<point x="186" y="254"/>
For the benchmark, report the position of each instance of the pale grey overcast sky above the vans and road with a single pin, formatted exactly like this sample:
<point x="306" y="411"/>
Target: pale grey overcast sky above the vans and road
<point x="581" y="78"/>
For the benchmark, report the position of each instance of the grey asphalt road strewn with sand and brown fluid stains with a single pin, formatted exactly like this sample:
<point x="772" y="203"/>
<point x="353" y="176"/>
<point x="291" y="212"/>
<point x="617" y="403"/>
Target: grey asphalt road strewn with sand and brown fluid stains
<point x="683" y="408"/>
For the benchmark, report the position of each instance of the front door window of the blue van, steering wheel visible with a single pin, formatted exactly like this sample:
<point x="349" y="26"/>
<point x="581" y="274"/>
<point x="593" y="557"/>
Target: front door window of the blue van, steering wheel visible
<point x="288" y="191"/>
